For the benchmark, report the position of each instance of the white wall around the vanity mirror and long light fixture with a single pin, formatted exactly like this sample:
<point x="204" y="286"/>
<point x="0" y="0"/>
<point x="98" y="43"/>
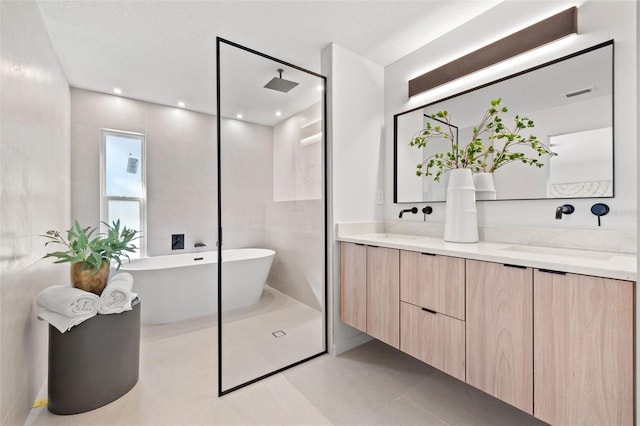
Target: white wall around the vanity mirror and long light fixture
<point x="598" y="21"/>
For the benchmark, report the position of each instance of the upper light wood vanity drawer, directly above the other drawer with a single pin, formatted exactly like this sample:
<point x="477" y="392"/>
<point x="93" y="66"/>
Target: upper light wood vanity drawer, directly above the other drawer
<point x="433" y="281"/>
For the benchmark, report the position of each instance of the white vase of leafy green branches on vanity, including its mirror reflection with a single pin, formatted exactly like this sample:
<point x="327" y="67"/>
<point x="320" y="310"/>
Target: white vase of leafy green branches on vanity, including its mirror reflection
<point x="504" y="147"/>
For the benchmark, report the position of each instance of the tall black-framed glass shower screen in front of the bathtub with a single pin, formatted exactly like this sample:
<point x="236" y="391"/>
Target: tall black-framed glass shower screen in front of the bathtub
<point x="271" y="215"/>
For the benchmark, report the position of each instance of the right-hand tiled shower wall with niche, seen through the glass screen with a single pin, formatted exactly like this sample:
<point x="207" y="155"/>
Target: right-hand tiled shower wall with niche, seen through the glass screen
<point x="295" y="219"/>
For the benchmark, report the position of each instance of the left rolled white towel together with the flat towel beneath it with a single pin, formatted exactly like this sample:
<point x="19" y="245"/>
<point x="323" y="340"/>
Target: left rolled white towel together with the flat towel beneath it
<point x="65" y="307"/>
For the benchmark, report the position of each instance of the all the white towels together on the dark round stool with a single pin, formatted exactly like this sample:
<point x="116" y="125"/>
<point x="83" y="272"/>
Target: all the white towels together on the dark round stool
<point x="65" y="307"/>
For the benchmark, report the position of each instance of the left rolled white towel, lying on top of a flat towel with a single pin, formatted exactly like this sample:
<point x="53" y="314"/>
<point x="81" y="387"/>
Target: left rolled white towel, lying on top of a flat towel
<point x="68" y="301"/>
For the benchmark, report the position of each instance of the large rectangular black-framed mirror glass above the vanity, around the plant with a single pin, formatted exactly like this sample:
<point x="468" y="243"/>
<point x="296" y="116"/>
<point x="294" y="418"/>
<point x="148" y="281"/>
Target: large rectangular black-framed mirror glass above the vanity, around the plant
<point x="571" y="102"/>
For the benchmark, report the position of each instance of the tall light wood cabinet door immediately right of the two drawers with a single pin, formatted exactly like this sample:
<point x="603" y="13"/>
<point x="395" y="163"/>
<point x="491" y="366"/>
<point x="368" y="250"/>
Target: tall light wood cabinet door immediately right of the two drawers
<point x="500" y="331"/>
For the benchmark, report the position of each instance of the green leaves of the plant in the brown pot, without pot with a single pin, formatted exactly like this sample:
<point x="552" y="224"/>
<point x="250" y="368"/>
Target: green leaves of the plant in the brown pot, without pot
<point x="91" y="248"/>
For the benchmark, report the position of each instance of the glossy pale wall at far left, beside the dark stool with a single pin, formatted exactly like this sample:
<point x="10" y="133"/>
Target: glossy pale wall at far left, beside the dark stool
<point x="34" y="176"/>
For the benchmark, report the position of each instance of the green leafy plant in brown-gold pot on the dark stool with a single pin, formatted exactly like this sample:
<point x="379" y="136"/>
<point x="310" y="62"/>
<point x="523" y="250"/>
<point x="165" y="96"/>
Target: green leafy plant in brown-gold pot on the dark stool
<point x="91" y="254"/>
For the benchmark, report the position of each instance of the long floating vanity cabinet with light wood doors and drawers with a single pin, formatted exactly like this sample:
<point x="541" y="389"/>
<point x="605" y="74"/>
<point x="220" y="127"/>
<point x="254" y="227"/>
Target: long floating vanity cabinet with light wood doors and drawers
<point x="553" y="344"/>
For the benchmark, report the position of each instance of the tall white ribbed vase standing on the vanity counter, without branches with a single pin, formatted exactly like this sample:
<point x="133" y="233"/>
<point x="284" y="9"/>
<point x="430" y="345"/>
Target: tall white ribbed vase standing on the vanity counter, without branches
<point x="461" y="216"/>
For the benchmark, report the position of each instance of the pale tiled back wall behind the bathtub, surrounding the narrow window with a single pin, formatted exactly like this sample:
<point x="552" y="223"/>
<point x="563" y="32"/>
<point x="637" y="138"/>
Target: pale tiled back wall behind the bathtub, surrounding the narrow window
<point x="181" y="170"/>
